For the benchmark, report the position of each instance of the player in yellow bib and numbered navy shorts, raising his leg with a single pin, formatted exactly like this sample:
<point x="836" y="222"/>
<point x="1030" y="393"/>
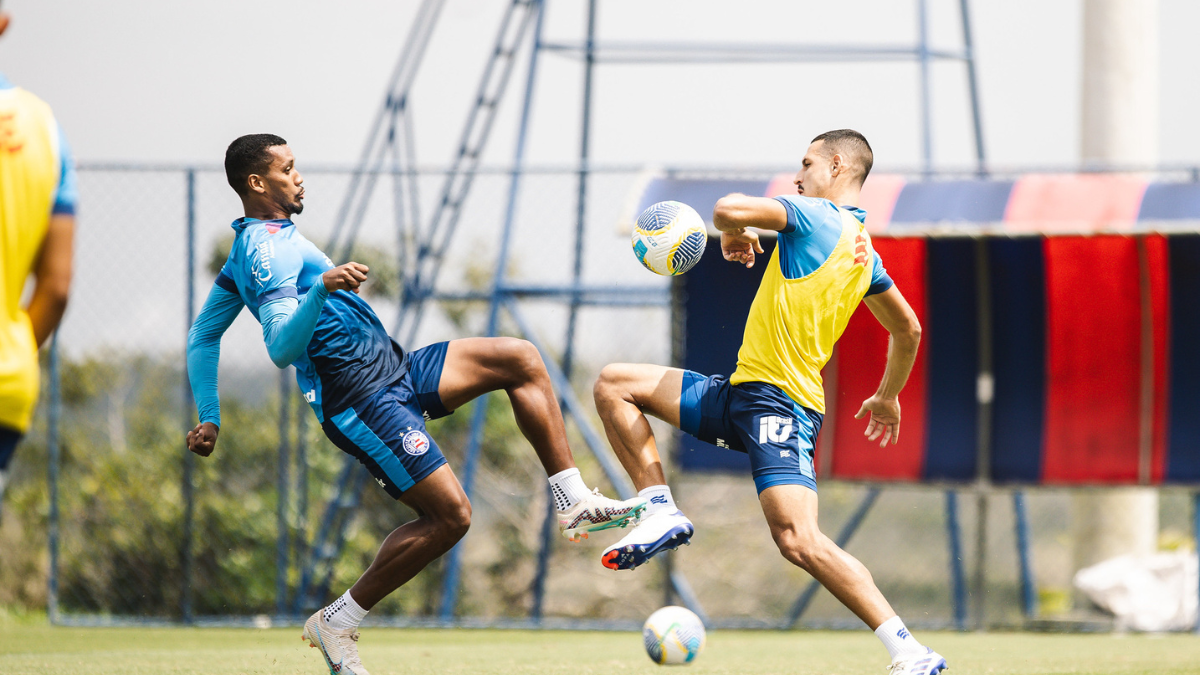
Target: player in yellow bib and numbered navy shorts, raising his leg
<point x="772" y="407"/>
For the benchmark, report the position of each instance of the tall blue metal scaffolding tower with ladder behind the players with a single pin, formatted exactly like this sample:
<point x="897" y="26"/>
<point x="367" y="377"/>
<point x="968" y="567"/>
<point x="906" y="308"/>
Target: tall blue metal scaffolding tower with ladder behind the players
<point x="389" y="153"/>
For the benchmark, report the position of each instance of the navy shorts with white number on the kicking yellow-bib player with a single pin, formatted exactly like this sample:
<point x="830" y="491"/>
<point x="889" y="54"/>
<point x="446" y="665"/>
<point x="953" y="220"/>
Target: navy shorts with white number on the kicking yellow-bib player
<point x="755" y="419"/>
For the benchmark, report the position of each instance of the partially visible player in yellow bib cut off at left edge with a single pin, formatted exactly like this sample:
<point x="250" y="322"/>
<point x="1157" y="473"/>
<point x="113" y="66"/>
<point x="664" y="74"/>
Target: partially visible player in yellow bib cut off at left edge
<point x="38" y="202"/>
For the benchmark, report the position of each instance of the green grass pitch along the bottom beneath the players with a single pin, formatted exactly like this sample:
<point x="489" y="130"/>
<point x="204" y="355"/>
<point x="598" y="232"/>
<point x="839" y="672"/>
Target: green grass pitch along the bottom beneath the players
<point x="45" y="650"/>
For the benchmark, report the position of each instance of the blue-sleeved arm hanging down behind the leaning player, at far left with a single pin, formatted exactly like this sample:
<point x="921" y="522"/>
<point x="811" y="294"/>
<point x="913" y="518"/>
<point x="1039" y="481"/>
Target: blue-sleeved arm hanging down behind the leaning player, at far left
<point x="203" y="356"/>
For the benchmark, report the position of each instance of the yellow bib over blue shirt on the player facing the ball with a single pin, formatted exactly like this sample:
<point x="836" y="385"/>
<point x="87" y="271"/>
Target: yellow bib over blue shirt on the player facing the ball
<point x="821" y="270"/>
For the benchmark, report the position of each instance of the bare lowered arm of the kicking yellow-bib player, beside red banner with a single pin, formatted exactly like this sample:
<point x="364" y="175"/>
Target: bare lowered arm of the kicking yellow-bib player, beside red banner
<point x="895" y="314"/>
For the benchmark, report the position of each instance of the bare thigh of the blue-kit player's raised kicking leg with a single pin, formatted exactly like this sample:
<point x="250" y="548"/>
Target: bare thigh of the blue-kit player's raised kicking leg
<point x="475" y="367"/>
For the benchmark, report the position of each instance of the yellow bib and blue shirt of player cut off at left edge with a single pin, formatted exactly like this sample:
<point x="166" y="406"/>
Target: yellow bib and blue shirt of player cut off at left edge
<point x="37" y="180"/>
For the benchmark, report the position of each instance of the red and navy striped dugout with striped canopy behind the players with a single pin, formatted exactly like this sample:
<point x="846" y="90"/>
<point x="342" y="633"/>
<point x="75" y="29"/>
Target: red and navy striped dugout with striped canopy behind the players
<point x="1090" y="319"/>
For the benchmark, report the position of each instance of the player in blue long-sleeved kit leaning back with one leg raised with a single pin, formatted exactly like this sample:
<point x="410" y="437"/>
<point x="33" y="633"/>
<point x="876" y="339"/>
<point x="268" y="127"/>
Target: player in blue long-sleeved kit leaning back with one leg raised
<point x="371" y="397"/>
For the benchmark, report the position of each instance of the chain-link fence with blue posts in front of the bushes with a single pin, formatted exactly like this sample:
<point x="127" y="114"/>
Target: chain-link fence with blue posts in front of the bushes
<point x="130" y="540"/>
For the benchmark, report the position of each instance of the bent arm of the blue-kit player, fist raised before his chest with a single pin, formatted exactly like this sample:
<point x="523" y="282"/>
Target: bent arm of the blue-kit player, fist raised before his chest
<point x="289" y="324"/>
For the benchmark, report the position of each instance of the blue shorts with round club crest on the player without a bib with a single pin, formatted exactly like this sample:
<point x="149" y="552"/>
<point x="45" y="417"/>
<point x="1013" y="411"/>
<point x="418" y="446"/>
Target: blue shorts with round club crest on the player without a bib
<point x="387" y="433"/>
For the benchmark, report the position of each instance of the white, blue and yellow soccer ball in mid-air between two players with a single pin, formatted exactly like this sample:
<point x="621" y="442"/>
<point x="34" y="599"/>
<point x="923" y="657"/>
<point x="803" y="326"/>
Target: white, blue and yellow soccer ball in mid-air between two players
<point x="670" y="238"/>
